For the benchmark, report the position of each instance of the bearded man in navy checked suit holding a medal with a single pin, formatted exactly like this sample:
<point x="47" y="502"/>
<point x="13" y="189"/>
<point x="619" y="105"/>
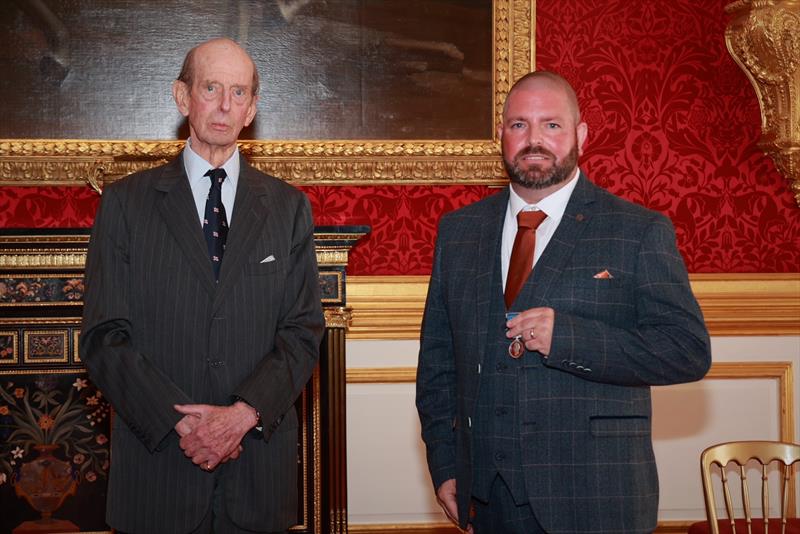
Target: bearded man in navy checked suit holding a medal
<point x="552" y="307"/>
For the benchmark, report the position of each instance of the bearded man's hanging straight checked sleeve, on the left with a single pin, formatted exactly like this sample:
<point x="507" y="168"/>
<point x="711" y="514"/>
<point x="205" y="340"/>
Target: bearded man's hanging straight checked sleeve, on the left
<point x="436" y="380"/>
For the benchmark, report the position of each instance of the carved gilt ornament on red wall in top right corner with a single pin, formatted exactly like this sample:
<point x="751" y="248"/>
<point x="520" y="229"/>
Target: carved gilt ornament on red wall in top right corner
<point x="763" y="37"/>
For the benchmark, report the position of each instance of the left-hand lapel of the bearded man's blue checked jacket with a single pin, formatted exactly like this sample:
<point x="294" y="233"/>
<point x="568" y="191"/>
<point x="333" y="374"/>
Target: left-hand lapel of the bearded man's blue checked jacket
<point x="491" y="232"/>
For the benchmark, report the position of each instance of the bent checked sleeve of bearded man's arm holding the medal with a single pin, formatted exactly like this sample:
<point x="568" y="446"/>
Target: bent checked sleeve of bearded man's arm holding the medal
<point x="668" y="343"/>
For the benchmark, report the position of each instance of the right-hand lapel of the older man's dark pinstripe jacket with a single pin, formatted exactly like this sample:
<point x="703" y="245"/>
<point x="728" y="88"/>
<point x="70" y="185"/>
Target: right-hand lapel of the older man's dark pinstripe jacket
<point x="248" y="223"/>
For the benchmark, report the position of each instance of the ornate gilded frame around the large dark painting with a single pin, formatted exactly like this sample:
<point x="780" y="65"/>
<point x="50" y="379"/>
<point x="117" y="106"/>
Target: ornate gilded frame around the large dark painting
<point x="69" y="162"/>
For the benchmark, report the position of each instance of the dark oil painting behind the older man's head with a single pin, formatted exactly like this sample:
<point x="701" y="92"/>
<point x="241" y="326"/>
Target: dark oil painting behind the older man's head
<point x="331" y="69"/>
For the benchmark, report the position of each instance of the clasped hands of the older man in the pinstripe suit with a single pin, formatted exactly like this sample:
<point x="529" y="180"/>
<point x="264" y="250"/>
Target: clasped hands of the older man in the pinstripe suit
<point x="211" y="435"/>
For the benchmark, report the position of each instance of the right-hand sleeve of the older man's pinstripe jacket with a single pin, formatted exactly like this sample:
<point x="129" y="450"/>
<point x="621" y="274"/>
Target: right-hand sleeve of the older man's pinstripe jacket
<point x="281" y="375"/>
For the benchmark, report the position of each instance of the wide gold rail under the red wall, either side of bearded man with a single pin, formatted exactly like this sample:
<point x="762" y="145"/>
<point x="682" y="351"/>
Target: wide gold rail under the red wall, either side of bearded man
<point x="390" y="307"/>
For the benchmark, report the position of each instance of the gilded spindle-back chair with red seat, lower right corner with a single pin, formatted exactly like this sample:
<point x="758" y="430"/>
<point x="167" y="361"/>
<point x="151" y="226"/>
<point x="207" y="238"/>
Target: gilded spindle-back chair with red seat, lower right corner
<point x="741" y="453"/>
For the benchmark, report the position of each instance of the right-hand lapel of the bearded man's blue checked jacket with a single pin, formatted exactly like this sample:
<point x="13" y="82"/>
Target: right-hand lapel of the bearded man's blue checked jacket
<point x="577" y="217"/>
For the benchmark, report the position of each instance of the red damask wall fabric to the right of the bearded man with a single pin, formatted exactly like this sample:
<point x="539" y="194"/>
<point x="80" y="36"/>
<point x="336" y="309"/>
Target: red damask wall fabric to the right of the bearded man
<point x="673" y="125"/>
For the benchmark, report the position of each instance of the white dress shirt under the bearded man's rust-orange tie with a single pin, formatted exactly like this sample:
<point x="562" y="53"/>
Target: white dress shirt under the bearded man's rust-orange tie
<point x="553" y="205"/>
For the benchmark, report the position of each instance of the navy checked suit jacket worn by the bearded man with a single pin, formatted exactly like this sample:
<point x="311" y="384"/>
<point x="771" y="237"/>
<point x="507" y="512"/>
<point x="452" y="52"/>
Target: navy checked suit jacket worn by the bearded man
<point x="585" y="416"/>
